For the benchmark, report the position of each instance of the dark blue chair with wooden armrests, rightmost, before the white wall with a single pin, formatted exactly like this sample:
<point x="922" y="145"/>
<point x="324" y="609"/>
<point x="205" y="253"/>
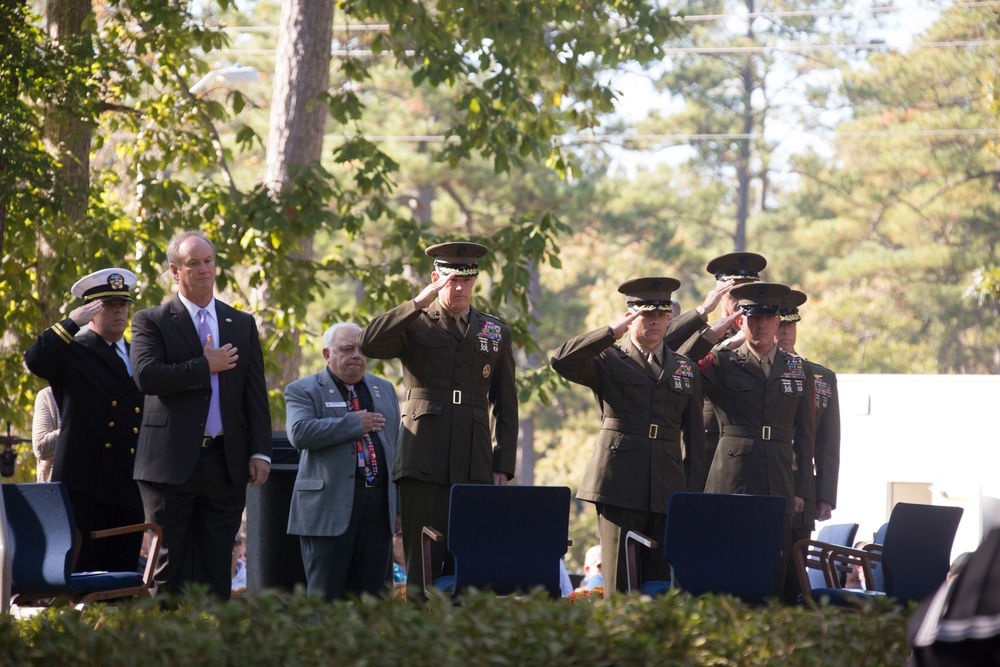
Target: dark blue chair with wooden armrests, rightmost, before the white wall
<point x="909" y="565"/>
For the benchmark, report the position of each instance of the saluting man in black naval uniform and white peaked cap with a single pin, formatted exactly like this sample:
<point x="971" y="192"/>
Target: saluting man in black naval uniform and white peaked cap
<point x="99" y="413"/>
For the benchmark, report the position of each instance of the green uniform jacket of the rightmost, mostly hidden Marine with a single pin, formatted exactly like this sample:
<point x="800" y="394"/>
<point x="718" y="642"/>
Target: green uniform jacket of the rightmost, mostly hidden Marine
<point x="826" y="454"/>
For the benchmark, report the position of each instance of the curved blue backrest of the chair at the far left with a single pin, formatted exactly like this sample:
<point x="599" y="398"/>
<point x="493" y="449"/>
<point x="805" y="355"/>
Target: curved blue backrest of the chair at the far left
<point x="42" y="537"/>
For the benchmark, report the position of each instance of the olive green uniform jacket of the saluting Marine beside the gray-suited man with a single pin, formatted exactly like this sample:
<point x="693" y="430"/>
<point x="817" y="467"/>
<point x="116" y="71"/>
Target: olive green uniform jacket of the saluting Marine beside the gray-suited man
<point x="454" y="384"/>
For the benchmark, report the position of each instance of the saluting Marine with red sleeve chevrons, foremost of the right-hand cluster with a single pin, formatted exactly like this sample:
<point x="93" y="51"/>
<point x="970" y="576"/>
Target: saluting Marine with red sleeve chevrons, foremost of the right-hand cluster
<point x="762" y="398"/>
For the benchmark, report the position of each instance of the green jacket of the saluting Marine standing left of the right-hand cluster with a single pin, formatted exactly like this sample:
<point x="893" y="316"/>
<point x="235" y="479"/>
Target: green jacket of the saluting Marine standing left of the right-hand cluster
<point x="638" y="459"/>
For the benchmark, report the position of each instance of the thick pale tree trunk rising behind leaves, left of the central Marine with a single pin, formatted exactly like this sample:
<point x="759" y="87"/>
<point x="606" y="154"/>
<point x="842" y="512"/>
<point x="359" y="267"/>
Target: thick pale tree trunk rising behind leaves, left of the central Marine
<point x="295" y="138"/>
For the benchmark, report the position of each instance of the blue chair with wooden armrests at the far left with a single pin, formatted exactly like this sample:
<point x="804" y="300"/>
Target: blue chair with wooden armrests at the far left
<point x="42" y="536"/>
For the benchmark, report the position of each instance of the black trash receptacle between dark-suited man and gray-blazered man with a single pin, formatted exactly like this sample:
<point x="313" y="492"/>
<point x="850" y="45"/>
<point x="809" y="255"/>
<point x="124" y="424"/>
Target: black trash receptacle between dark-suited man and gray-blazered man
<point x="274" y="558"/>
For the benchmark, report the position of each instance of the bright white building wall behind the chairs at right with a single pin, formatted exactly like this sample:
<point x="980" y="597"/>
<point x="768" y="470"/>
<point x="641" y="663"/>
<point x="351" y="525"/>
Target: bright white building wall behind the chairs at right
<point x="938" y="432"/>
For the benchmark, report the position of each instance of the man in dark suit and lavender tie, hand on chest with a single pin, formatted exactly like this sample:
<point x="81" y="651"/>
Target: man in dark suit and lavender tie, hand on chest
<point x="206" y="427"/>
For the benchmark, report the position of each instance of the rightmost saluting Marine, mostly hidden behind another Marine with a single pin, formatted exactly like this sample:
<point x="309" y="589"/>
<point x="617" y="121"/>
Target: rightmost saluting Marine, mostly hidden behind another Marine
<point x="824" y="465"/>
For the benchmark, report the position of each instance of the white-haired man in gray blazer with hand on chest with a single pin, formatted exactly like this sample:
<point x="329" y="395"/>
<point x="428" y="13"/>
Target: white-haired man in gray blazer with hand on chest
<point x="344" y="422"/>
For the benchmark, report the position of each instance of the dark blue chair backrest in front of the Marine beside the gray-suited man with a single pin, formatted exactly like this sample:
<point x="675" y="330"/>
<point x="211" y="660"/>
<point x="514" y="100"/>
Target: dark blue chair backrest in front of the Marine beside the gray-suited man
<point x="508" y="538"/>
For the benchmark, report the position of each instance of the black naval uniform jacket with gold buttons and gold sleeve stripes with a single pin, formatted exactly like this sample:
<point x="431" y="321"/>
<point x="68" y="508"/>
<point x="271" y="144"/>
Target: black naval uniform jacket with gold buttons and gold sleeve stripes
<point x="100" y="411"/>
